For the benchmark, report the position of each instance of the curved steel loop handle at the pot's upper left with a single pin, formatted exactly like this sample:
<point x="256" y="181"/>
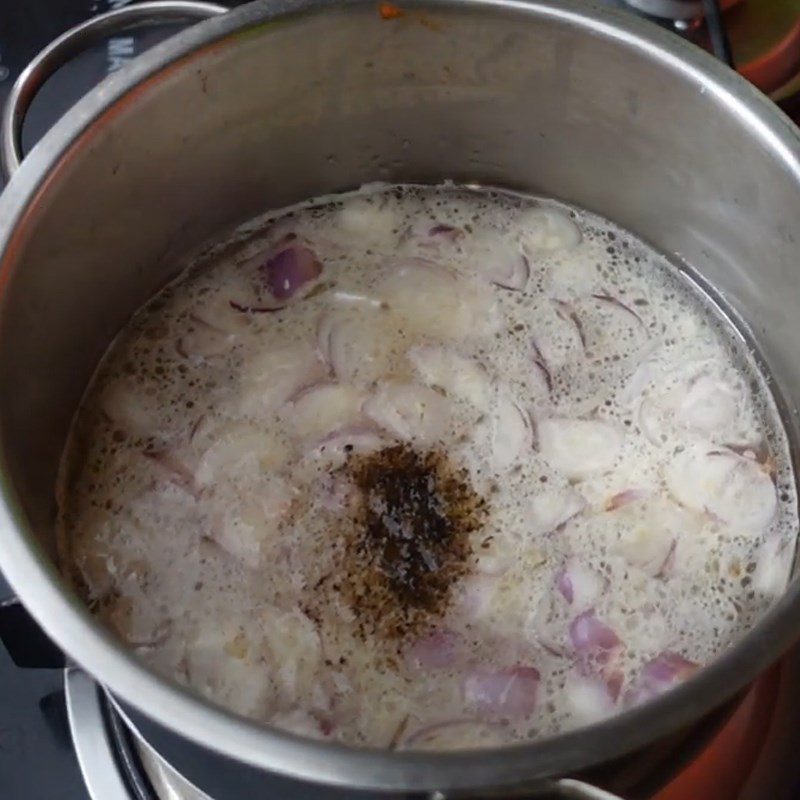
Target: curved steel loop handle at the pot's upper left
<point x="70" y="44"/>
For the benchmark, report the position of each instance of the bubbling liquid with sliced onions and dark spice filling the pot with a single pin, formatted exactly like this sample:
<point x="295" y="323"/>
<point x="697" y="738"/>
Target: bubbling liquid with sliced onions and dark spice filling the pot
<point x="428" y="468"/>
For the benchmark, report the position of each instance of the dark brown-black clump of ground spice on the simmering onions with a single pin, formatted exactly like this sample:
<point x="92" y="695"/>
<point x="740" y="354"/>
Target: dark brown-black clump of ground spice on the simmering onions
<point x="410" y="541"/>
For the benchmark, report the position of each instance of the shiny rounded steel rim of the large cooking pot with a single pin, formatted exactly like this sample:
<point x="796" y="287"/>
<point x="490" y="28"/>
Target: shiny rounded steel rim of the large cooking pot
<point x="64" y="618"/>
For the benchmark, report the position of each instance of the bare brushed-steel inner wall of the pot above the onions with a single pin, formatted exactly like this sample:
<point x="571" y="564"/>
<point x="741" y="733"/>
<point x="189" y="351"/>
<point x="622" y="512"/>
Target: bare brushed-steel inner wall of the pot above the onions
<point x="329" y="100"/>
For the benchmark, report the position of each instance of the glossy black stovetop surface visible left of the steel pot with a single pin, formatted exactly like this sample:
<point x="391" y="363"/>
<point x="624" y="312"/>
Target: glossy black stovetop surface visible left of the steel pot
<point x="36" y="755"/>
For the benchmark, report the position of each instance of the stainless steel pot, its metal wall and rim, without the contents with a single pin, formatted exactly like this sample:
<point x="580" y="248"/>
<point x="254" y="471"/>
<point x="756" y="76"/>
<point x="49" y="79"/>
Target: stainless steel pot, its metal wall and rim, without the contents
<point x="279" y="101"/>
